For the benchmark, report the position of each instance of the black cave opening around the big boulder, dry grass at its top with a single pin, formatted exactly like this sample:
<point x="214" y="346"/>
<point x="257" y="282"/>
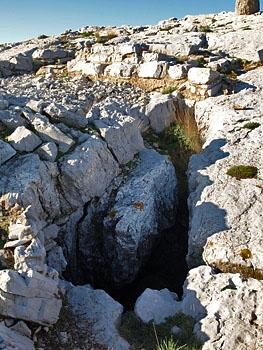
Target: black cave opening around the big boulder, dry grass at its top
<point x="166" y="266"/>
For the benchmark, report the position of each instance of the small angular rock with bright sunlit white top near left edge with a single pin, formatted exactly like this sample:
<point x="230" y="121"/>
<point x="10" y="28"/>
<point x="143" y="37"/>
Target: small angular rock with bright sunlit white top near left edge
<point x="24" y="140"/>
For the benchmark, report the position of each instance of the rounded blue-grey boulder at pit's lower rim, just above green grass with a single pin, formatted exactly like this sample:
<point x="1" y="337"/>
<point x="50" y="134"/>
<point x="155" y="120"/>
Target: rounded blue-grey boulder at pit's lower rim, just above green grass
<point x="156" y="305"/>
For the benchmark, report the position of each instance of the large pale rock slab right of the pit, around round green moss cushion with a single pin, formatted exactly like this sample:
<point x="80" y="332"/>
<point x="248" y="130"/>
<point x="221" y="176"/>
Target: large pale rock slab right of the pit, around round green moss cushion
<point x="221" y="205"/>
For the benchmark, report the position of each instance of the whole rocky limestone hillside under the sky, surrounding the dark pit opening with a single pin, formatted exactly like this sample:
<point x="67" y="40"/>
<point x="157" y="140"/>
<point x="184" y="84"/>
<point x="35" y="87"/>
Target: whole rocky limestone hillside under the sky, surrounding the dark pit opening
<point x="85" y="196"/>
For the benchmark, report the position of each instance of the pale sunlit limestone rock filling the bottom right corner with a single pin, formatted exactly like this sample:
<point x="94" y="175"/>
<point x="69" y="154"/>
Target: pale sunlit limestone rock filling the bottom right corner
<point x="228" y="307"/>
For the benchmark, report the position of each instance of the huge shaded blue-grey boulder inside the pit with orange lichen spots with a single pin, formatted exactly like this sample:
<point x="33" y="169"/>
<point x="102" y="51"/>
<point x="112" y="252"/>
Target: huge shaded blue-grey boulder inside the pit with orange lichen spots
<point x="115" y="235"/>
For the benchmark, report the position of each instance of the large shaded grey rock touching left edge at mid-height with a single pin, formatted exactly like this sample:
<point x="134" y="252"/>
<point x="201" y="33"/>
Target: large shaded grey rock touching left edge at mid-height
<point x="29" y="181"/>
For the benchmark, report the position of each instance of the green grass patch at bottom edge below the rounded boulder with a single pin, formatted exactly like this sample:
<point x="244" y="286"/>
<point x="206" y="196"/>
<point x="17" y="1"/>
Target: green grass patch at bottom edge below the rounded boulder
<point x="144" y="335"/>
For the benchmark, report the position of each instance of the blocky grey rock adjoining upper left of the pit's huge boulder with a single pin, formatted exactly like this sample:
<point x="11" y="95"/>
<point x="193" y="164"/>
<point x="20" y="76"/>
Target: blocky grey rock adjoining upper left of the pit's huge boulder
<point x="81" y="169"/>
